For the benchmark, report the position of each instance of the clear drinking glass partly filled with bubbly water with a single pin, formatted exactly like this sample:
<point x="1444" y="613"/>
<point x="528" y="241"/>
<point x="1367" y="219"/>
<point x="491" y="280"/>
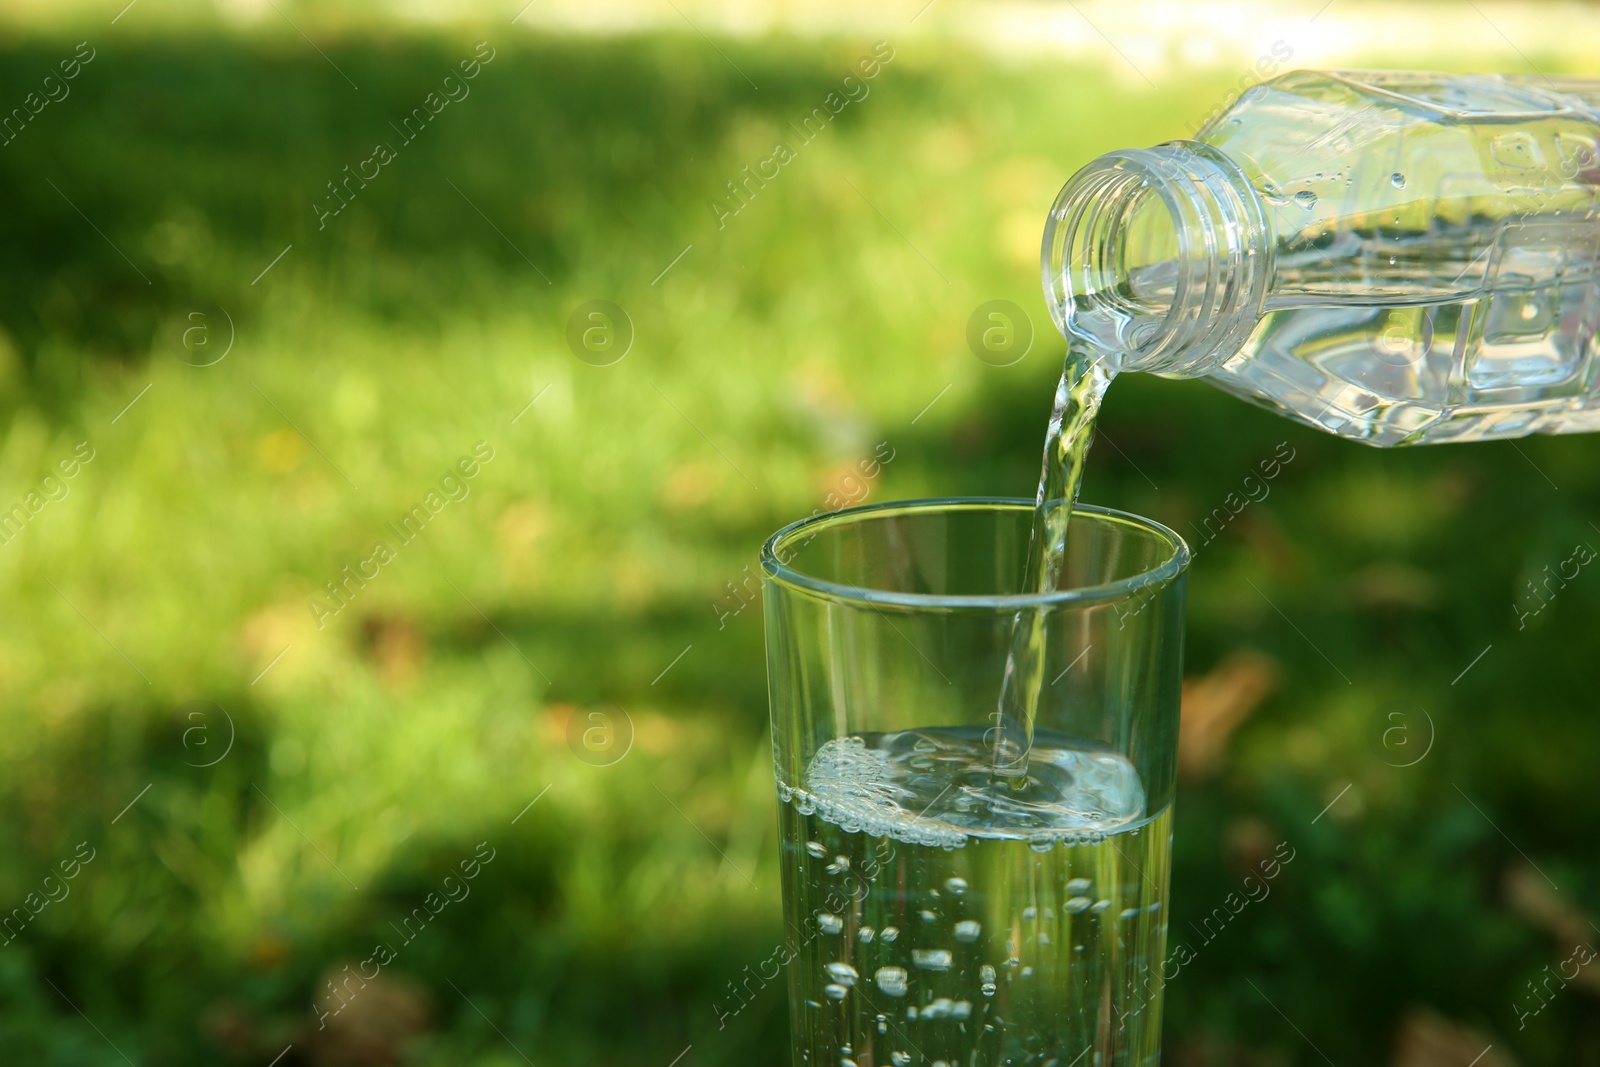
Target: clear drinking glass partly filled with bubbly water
<point x="937" y="913"/>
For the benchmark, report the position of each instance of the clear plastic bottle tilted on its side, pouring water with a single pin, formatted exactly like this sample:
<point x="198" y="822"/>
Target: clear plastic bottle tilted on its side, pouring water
<point x="1391" y="257"/>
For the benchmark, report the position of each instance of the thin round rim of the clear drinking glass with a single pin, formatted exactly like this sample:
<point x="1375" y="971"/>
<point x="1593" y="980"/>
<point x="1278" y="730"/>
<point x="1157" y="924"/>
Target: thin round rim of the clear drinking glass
<point x="1169" y="570"/>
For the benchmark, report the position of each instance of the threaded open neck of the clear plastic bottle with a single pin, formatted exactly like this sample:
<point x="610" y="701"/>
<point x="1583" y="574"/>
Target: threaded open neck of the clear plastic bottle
<point x="1158" y="260"/>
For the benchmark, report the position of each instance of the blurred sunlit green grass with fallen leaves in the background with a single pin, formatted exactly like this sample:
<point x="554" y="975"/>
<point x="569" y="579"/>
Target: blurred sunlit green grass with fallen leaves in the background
<point x="380" y="751"/>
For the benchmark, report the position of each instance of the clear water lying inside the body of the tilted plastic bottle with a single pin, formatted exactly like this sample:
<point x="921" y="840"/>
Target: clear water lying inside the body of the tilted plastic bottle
<point x="1502" y="358"/>
